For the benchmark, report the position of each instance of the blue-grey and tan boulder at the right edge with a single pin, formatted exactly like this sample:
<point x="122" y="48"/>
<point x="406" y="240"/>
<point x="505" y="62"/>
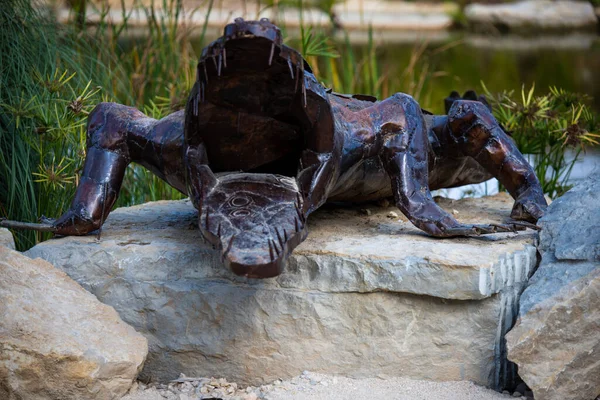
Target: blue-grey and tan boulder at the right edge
<point x="556" y="342"/>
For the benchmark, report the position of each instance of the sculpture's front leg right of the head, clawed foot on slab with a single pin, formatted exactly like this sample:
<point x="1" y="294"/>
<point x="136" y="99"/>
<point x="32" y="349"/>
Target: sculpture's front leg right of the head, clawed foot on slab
<point x="405" y="157"/>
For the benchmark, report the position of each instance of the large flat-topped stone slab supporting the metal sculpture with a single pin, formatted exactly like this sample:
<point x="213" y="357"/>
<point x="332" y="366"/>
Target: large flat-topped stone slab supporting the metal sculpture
<point x="364" y="295"/>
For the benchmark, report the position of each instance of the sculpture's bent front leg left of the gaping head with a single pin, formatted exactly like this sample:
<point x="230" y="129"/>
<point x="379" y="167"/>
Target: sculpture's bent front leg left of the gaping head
<point x="116" y="136"/>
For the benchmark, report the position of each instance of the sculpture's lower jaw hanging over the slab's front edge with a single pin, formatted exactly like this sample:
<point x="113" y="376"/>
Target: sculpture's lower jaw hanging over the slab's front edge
<point x="256" y="220"/>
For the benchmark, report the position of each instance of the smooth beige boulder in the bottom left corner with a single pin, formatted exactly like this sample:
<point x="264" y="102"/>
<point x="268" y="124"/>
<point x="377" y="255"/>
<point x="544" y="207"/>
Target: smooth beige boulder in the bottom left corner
<point x="57" y="341"/>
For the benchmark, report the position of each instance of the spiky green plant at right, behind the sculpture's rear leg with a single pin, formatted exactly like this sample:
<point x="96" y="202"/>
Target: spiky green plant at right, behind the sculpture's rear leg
<point x="547" y="127"/>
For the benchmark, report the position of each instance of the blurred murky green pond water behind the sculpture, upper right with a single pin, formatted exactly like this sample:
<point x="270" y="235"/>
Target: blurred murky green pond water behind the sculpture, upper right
<point x="463" y="61"/>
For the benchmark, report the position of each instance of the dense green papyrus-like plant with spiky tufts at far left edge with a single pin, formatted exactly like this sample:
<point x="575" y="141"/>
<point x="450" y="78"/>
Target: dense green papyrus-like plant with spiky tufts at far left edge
<point x="45" y="96"/>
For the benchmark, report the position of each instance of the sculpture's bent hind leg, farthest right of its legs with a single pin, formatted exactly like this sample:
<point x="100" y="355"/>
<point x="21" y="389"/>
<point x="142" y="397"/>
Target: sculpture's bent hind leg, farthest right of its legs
<point x="471" y="130"/>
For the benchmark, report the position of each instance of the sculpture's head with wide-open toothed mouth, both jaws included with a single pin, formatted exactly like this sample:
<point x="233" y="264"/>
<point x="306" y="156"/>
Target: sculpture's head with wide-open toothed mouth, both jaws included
<point x="266" y="127"/>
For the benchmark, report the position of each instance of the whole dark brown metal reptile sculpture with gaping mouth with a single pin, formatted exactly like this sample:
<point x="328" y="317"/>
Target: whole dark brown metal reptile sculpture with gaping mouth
<point x="261" y="145"/>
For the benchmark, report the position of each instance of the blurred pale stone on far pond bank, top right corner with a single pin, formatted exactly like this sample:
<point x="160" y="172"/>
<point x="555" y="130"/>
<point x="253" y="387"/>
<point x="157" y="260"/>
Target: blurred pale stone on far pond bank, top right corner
<point x="534" y="14"/>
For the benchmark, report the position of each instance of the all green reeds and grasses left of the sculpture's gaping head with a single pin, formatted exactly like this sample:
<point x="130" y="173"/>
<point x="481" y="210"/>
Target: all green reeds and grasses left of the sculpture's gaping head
<point x="52" y="77"/>
